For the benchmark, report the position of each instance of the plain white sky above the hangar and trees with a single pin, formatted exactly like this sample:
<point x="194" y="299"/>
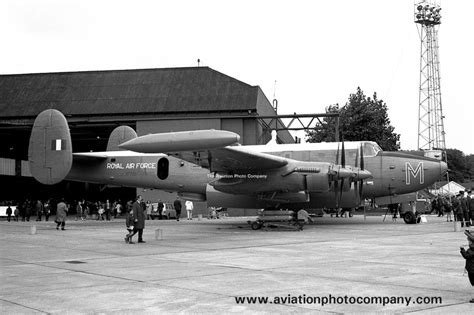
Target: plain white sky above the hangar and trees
<point x="306" y="54"/>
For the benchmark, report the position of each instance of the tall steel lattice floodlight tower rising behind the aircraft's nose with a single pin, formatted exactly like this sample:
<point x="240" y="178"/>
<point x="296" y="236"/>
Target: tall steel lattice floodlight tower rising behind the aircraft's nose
<point x="430" y="114"/>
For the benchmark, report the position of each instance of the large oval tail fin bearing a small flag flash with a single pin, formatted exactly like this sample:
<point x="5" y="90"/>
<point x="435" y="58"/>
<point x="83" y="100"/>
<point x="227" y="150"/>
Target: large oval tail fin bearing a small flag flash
<point x="50" y="148"/>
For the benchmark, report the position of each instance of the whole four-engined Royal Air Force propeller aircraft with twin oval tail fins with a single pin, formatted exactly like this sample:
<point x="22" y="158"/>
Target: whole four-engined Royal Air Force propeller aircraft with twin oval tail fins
<point x="209" y="165"/>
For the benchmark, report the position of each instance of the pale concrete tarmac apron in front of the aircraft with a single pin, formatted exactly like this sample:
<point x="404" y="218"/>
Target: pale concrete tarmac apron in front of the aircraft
<point x="335" y="265"/>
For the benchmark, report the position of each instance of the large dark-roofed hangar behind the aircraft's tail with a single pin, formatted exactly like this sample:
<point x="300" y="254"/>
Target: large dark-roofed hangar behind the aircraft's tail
<point x="148" y="100"/>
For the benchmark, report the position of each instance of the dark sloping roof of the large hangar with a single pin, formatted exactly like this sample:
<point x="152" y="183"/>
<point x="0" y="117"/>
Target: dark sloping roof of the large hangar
<point x="166" y="90"/>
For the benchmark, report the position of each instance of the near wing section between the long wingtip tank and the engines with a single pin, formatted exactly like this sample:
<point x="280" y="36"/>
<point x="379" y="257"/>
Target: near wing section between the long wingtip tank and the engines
<point x="232" y="159"/>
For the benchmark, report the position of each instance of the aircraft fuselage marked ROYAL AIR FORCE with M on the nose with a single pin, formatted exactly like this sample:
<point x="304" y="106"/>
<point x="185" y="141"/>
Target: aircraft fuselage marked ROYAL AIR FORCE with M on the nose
<point x="392" y="173"/>
